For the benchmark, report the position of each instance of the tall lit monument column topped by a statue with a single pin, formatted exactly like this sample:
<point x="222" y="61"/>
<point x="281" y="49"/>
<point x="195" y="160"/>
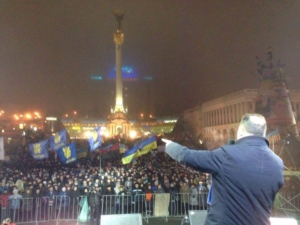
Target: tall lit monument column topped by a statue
<point x="118" y="124"/>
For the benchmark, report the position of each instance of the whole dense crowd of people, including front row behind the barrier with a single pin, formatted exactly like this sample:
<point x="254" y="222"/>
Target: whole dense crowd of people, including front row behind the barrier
<point x="152" y="173"/>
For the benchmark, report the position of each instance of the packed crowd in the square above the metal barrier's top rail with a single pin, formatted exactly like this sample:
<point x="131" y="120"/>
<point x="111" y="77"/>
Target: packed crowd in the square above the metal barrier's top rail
<point x="155" y="170"/>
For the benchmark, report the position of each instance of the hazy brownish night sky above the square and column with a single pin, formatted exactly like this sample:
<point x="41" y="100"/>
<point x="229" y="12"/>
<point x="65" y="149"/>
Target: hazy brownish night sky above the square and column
<point x="195" y="50"/>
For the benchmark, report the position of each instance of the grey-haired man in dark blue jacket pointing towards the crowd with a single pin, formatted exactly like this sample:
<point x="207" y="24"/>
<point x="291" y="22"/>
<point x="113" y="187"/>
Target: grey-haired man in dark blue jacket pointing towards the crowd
<point x="246" y="175"/>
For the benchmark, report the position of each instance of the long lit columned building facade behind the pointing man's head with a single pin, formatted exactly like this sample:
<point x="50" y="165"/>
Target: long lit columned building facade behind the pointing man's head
<point x="217" y="121"/>
